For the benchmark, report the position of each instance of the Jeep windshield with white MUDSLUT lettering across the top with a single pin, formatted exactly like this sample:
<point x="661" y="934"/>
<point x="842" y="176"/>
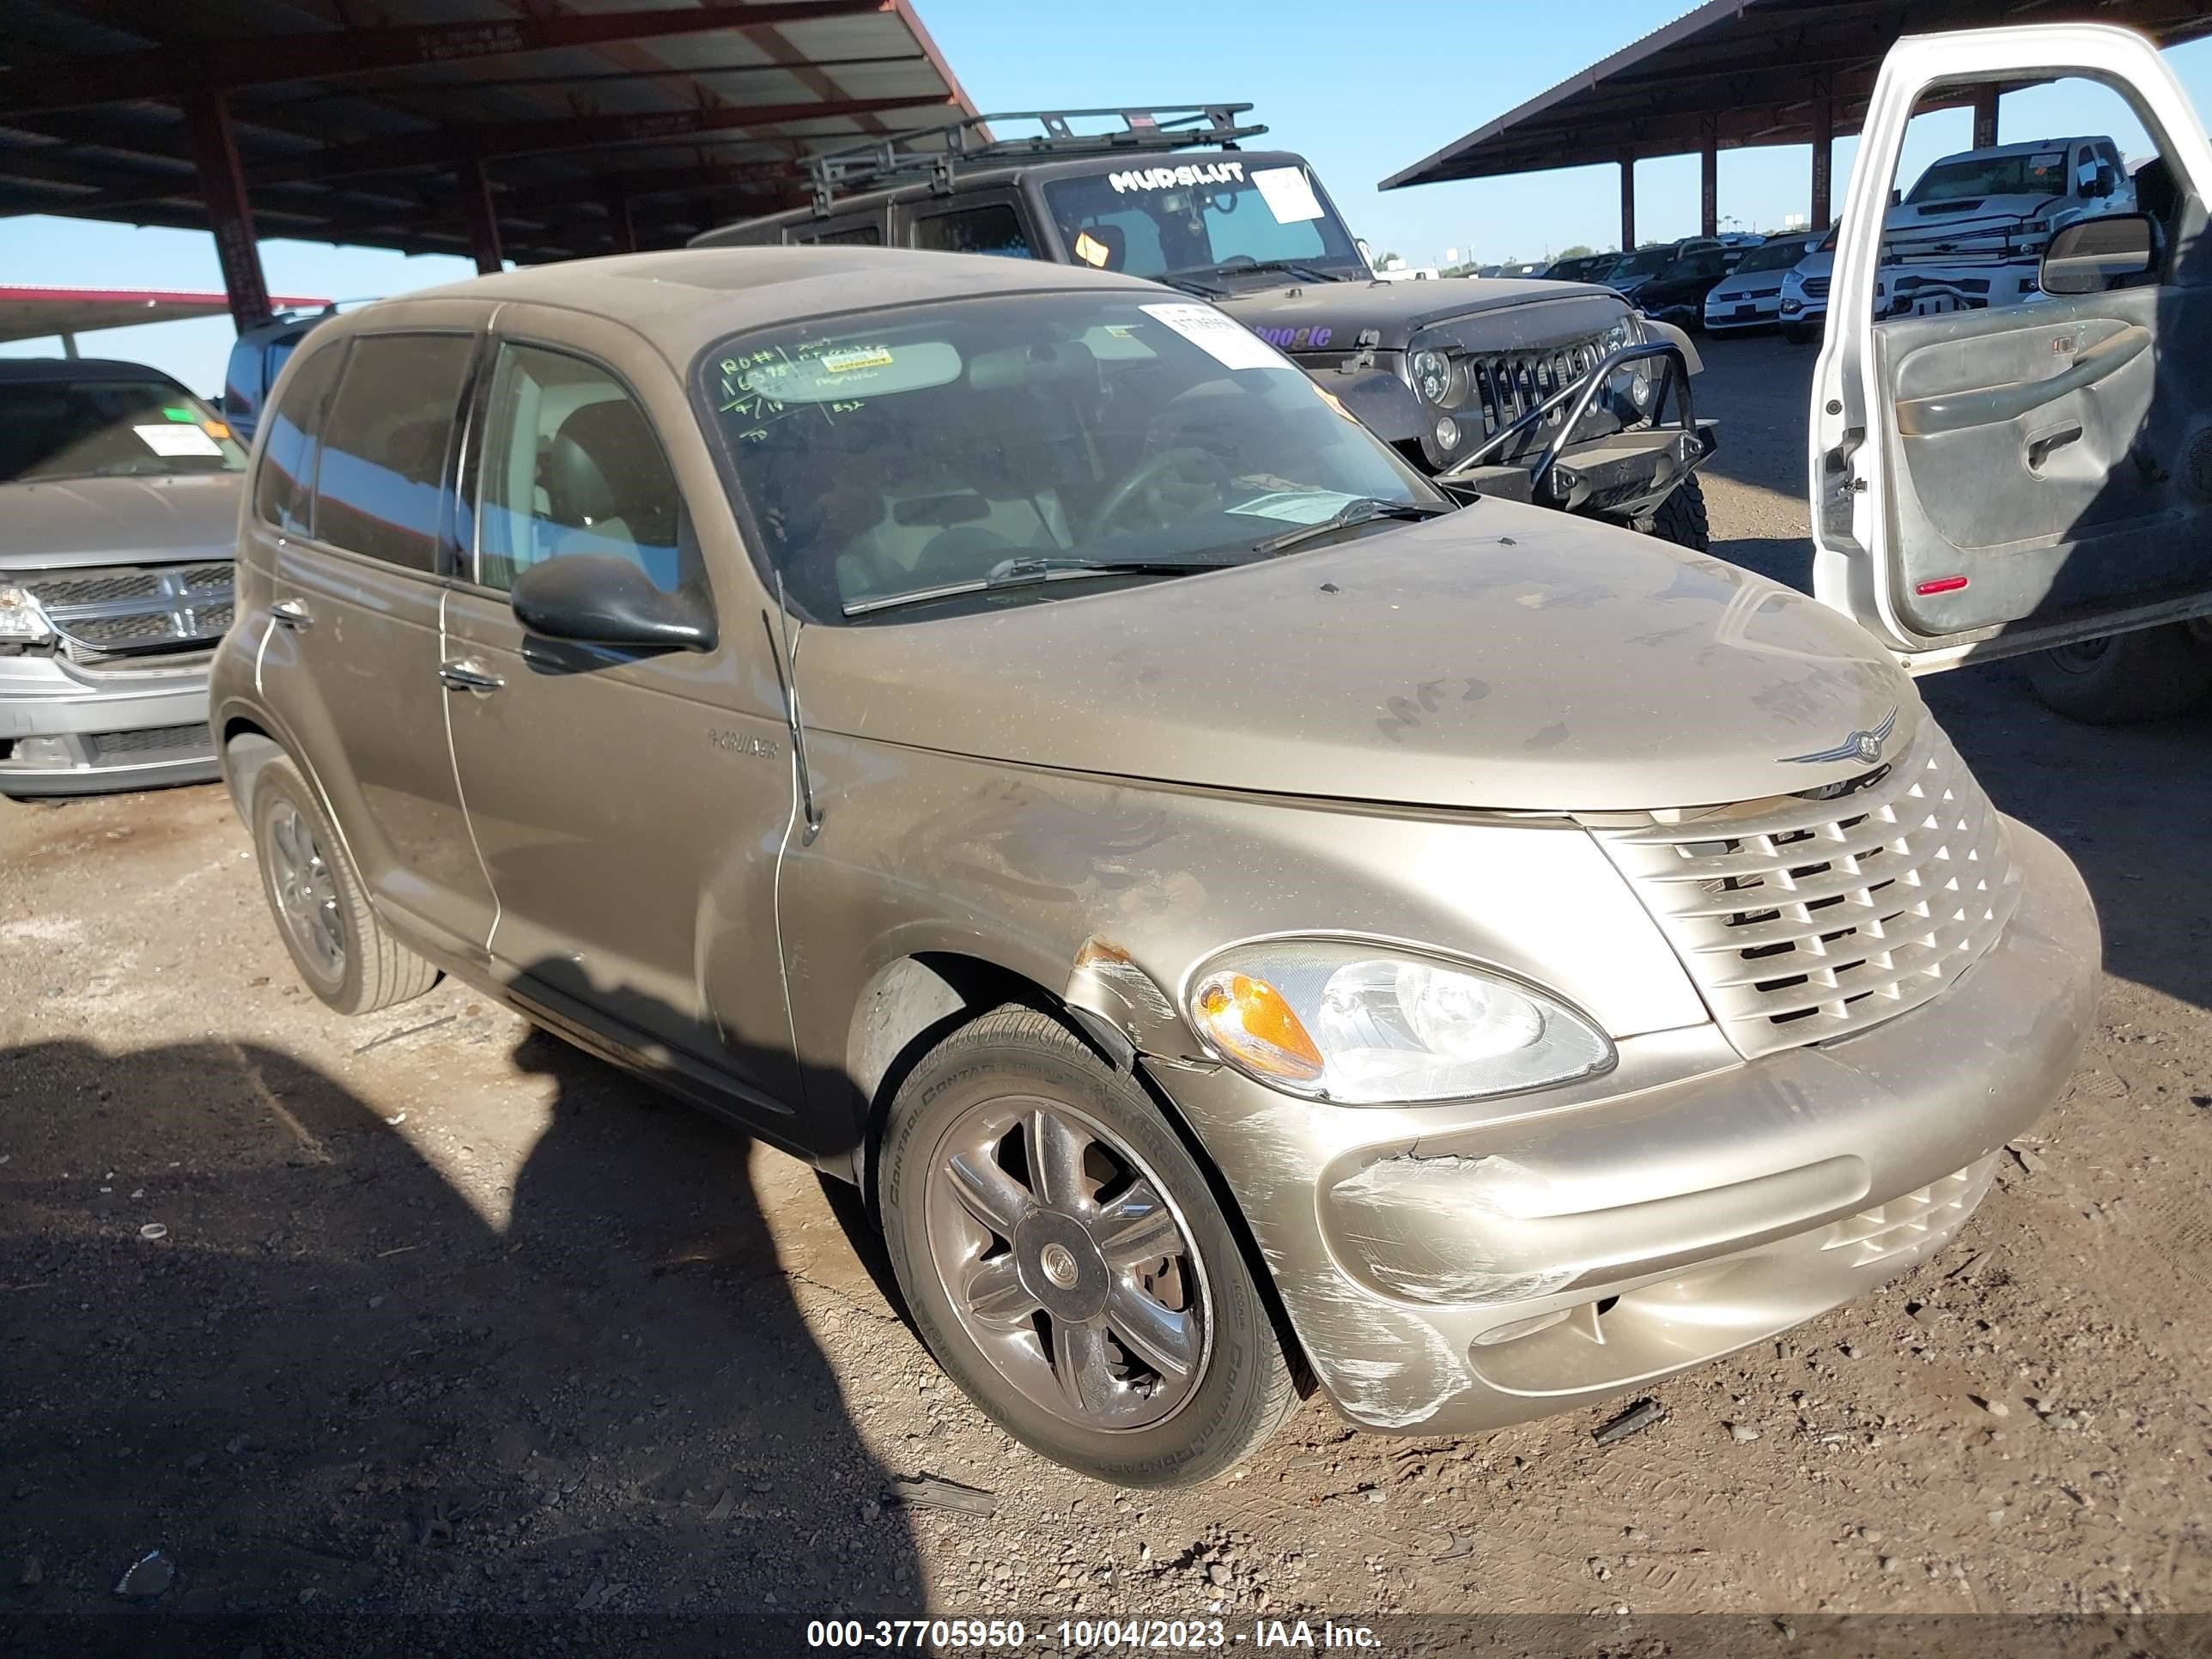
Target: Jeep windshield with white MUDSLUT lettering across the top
<point x="1202" y="220"/>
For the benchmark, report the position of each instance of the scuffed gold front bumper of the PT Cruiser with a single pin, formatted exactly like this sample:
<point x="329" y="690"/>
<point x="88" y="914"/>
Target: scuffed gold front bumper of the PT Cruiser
<point x="1465" y="1269"/>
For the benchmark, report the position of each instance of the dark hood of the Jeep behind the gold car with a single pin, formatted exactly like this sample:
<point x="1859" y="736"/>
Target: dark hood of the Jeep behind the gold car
<point x="1541" y="313"/>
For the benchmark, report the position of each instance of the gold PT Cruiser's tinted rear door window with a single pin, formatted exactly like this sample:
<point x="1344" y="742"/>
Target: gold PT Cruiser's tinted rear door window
<point x="382" y="486"/>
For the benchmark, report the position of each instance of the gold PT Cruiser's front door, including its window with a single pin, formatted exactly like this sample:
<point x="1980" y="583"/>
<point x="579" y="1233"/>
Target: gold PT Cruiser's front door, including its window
<point x="629" y="806"/>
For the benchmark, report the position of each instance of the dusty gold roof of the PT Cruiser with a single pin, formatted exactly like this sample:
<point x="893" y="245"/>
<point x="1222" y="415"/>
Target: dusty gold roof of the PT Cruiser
<point x="687" y="298"/>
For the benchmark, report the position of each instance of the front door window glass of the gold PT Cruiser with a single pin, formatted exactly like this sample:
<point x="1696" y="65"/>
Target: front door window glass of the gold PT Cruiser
<point x="572" y="466"/>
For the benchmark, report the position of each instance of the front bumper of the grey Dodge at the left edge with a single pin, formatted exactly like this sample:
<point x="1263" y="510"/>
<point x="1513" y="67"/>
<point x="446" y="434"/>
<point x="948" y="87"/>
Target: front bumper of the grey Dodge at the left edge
<point x="63" y="733"/>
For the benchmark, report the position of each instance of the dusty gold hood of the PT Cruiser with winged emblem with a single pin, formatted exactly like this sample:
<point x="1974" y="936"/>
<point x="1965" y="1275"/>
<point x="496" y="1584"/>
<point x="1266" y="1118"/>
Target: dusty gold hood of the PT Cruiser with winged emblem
<point x="1499" y="658"/>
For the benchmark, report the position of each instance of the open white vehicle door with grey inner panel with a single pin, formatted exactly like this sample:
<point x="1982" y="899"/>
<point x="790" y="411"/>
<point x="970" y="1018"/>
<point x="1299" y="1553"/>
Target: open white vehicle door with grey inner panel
<point x="2012" y="479"/>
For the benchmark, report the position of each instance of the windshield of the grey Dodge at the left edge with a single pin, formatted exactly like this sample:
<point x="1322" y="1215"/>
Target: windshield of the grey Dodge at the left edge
<point x="109" y="430"/>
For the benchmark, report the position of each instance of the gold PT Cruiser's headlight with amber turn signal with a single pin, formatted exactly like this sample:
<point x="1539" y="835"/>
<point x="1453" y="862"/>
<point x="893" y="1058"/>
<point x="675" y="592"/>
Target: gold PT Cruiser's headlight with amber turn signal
<point x="1370" y="1025"/>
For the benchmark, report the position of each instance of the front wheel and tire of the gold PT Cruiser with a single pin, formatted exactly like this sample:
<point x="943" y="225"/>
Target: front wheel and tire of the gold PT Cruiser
<point x="1052" y="1366"/>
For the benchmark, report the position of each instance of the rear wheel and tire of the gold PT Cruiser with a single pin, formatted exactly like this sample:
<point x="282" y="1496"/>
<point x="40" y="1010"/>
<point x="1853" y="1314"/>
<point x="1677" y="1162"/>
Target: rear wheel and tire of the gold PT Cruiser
<point x="337" y="943"/>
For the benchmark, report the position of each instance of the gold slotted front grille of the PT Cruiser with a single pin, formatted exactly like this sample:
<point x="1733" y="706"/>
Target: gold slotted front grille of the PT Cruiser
<point x="1804" y="921"/>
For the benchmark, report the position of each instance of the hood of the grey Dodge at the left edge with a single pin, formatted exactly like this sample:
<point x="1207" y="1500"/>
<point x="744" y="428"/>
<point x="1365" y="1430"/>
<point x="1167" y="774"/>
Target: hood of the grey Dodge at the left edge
<point x="118" y="521"/>
